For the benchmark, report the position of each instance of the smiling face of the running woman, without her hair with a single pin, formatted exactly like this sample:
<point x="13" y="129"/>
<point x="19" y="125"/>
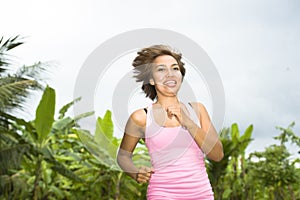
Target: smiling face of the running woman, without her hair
<point x="166" y="75"/>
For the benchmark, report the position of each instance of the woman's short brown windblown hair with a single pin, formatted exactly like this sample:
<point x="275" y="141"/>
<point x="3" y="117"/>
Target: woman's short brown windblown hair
<point x="143" y="64"/>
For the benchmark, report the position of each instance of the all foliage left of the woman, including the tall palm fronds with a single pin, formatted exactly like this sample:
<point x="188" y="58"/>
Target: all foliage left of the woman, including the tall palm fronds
<point x="45" y="158"/>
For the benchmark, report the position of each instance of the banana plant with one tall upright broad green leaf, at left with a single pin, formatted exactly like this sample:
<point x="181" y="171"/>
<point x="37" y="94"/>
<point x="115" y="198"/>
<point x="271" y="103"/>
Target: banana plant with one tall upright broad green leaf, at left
<point x="38" y="162"/>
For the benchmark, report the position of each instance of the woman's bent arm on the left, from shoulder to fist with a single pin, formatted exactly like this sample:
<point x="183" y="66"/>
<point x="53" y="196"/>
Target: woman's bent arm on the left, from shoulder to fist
<point x="134" y="130"/>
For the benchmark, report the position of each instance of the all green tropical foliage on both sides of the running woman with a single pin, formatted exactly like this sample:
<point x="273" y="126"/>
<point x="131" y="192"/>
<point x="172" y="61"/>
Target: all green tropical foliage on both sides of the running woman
<point x="51" y="158"/>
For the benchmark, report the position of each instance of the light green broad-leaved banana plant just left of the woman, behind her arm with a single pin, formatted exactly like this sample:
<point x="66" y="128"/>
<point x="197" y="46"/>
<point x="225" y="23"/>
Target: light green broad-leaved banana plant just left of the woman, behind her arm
<point x="103" y="145"/>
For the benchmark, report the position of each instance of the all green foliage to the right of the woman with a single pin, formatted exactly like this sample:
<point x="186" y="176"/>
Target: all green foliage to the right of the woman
<point x="270" y="174"/>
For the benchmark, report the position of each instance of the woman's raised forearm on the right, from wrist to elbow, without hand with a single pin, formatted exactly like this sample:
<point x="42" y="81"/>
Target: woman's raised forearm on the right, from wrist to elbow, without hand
<point x="208" y="141"/>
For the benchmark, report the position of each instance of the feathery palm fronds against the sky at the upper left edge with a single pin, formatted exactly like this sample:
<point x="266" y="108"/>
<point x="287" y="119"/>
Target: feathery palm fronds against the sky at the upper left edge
<point x="16" y="83"/>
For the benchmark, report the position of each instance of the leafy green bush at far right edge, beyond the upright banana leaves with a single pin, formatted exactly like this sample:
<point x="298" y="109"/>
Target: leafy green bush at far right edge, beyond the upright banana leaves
<point x="273" y="172"/>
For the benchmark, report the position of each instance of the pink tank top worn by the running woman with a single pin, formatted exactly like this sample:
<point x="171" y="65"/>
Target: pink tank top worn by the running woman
<point x="180" y="172"/>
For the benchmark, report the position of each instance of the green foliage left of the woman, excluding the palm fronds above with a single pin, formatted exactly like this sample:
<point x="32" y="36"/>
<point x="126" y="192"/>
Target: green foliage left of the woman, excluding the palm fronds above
<point x="72" y="164"/>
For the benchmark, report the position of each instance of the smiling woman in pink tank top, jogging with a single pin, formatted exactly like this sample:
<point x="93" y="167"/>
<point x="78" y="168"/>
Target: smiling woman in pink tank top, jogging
<point x="177" y="134"/>
